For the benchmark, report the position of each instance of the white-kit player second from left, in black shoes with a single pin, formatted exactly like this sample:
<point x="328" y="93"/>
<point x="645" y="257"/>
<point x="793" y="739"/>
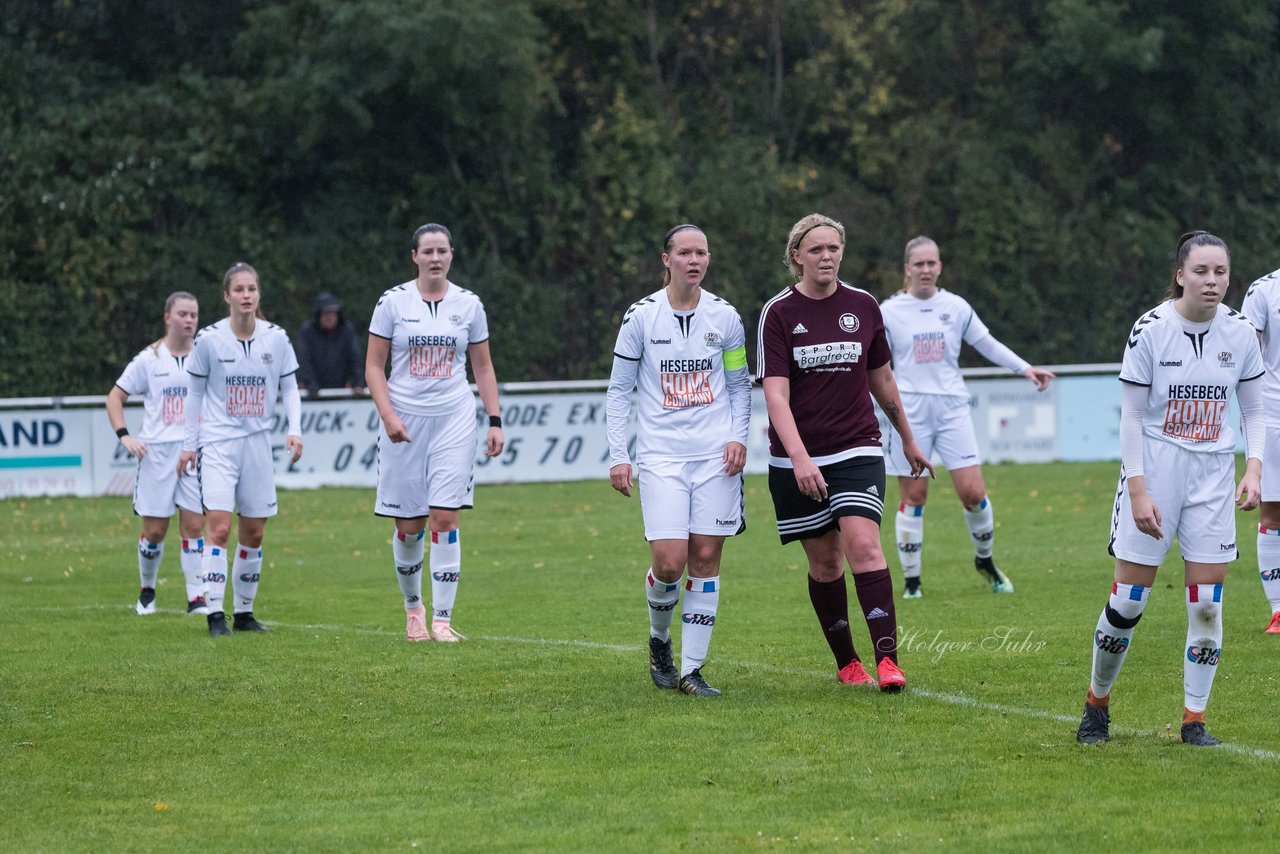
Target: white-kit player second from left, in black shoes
<point x="239" y="367"/>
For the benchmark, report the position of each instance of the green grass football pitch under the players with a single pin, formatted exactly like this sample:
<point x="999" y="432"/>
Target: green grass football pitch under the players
<point x="543" y="732"/>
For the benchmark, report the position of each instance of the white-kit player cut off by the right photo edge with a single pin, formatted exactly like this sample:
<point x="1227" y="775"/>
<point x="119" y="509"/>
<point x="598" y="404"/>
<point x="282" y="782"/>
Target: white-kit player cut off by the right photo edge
<point x="1263" y="309"/>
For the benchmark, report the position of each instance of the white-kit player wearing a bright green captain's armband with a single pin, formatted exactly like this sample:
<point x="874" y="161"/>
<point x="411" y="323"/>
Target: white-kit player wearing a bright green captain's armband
<point x="685" y="353"/>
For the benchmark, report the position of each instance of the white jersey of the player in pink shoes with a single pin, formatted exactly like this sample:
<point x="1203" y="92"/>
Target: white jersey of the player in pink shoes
<point x="429" y="346"/>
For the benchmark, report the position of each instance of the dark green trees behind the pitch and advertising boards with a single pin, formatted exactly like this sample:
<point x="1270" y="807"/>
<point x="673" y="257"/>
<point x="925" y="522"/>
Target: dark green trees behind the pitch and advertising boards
<point x="1055" y="149"/>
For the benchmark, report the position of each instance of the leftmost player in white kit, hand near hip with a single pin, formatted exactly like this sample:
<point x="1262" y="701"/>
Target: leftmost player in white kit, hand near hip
<point x="159" y="375"/>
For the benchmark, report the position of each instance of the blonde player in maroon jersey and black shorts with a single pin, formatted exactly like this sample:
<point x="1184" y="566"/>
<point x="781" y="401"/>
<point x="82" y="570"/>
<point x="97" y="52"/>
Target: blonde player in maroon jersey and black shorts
<point x="822" y="357"/>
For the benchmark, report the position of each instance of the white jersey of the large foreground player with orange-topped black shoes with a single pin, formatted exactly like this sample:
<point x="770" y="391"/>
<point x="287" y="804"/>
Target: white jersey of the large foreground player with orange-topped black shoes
<point x="1191" y="371"/>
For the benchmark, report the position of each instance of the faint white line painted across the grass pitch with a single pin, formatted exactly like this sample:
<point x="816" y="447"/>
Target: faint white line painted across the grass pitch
<point x="941" y="697"/>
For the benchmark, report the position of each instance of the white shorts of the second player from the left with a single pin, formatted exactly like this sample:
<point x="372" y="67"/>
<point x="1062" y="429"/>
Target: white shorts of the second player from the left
<point x="240" y="476"/>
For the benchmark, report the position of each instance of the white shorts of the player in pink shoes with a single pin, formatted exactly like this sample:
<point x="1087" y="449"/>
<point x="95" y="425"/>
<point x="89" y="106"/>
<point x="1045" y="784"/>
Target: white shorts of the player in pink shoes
<point x="435" y="469"/>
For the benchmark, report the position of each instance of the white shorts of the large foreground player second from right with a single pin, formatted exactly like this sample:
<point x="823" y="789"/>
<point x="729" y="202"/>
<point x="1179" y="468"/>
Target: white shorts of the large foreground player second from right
<point x="1195" y="494"/>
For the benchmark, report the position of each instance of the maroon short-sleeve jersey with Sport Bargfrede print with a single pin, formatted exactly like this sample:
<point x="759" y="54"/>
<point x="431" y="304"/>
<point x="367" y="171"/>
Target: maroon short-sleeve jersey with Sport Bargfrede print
<point x="825" y="348"/>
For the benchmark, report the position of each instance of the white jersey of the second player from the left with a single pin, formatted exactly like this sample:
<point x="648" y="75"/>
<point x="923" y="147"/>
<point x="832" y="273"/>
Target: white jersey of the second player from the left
<point x="243" y="378"/>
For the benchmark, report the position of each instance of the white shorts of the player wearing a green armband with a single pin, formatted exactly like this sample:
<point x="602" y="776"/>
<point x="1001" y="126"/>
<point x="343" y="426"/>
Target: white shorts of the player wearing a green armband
<point x="679" y="499"/>
